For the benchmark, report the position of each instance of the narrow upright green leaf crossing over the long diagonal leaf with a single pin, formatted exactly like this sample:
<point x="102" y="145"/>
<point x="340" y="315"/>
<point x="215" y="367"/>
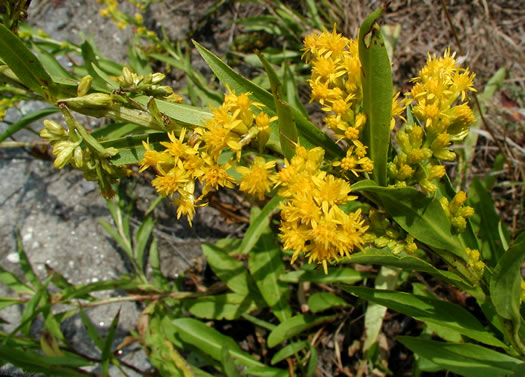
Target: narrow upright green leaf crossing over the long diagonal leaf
<point x="287" y="129"/>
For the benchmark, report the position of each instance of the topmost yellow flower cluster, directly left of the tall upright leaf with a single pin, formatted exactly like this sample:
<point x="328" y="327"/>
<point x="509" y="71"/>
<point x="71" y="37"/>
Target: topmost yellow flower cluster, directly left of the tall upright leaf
<point x="336" y="85"/>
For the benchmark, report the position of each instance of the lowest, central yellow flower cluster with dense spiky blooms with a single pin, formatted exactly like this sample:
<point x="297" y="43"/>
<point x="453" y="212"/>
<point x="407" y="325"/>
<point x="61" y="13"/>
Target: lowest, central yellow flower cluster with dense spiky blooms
<point x="311" y="220"/>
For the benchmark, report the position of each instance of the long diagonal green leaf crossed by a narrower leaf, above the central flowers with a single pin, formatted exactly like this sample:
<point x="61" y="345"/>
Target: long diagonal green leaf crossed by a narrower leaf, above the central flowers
<point x="309" y="135"/>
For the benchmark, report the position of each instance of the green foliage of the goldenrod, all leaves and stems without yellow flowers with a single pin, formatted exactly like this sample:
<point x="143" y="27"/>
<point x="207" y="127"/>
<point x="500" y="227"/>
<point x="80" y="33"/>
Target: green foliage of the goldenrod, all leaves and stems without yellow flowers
<point x="253" y="284"/>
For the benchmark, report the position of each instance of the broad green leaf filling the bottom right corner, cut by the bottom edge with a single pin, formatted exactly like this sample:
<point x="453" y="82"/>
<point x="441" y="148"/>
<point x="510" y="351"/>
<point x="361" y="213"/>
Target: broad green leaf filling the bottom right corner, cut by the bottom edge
<point x="468" y="360"/>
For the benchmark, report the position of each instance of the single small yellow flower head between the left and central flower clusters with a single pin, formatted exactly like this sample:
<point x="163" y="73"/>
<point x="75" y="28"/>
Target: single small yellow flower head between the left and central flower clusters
<point x="257" y="179"/>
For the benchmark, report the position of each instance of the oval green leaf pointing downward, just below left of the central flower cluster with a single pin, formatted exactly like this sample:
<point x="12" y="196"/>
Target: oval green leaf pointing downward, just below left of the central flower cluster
<point x="266" y="265"/>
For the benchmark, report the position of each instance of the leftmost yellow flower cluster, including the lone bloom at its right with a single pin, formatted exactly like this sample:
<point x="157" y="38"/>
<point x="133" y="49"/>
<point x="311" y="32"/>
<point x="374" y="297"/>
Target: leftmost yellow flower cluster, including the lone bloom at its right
<point x="208" y="155"/>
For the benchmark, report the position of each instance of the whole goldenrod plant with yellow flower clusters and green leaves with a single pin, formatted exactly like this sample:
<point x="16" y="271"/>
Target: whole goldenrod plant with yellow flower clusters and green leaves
<point x="366" y="187"/>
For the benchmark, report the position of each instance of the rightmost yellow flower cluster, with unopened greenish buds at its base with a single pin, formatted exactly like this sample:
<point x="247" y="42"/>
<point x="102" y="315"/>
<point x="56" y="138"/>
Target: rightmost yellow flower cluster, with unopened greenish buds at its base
<point x="438" y="100"/>
